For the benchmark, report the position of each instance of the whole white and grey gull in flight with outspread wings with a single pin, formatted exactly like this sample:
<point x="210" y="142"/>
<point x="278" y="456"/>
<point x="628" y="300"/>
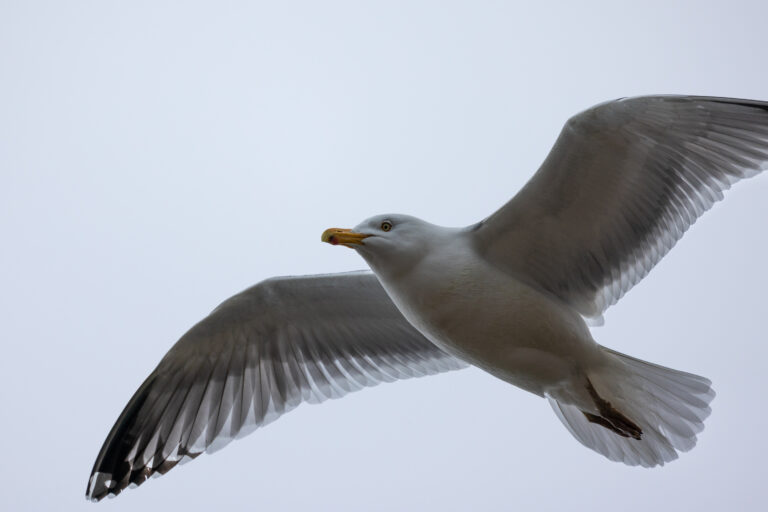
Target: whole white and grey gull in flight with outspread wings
<point x="513" y="295"/>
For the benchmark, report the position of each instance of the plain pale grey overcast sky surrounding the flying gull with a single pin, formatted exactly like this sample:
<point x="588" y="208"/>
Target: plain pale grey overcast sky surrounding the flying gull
<point x="158" y="157"/>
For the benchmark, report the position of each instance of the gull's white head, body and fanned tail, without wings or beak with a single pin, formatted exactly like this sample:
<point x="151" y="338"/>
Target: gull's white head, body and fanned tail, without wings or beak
<point x="626" y="409"/>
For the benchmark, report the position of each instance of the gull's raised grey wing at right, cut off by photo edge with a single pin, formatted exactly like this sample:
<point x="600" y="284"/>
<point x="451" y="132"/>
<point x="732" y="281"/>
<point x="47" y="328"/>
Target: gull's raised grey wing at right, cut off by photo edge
<point x="622" y="184"/>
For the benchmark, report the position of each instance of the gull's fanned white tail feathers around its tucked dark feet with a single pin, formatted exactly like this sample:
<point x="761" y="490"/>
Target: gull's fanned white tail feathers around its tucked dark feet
<point x="667" y="405"/>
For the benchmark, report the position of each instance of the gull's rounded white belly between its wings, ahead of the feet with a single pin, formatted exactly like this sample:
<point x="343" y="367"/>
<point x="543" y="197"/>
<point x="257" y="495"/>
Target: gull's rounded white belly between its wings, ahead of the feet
<point x="497" y="323"/>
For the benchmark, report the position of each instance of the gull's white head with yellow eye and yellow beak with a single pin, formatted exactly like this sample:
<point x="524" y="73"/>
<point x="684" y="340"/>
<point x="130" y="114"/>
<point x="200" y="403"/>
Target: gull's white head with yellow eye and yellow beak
<point x="387" y="242"/>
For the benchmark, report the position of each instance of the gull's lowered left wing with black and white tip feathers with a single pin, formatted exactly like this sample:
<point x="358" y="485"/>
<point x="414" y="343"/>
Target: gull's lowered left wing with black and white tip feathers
<point x="258" y="355"/>
